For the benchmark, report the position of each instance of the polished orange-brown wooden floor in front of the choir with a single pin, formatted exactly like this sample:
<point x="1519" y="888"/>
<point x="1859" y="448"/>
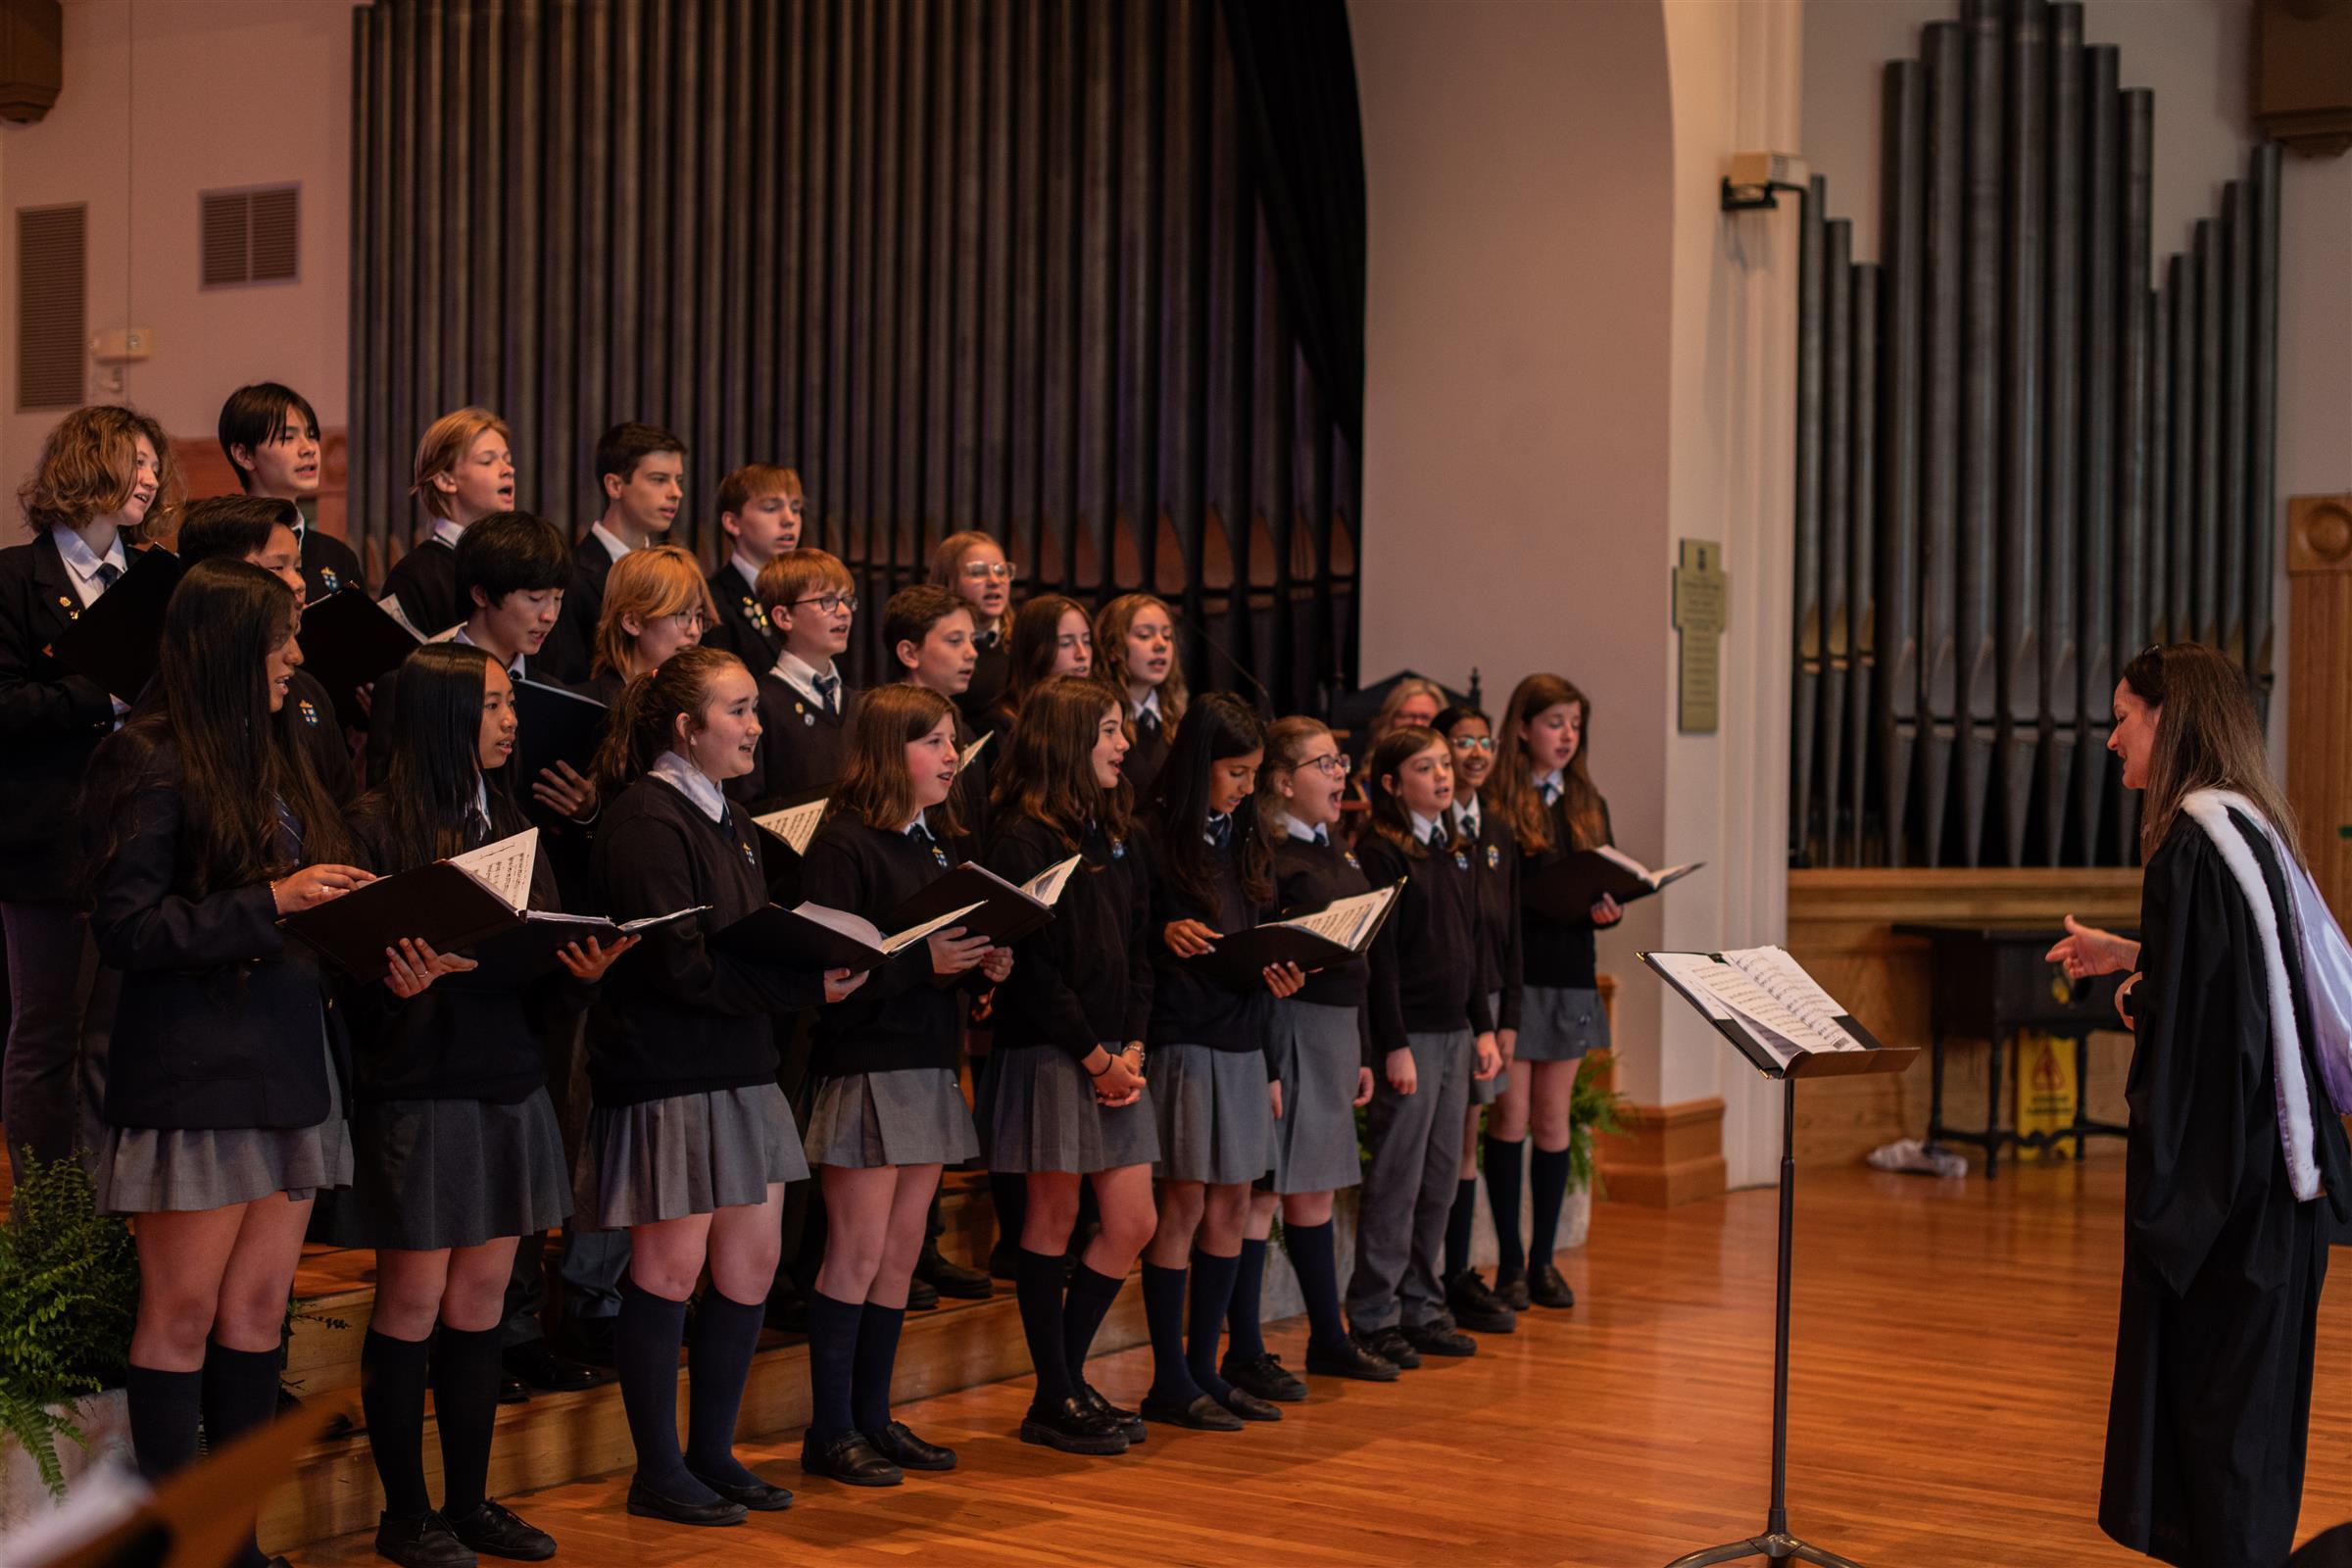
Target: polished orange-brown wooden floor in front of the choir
<point x="1951" y="1386"/>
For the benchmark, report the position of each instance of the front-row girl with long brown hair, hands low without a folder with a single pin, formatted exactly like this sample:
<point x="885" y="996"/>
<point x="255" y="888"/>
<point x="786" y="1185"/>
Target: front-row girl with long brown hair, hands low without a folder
<point x="1071" y="1104"/>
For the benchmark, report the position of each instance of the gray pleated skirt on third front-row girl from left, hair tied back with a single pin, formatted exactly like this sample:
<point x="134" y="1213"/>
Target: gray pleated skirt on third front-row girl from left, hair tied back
<point x="662" y="1160"/>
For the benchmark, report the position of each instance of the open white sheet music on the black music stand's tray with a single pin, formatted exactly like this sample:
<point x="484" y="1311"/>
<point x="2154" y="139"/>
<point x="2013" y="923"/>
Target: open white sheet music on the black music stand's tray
<point x="1775" y="1012"/>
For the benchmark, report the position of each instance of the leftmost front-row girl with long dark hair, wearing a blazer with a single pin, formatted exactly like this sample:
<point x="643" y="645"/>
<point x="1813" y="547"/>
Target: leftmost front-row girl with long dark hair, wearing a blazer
<point x="225" y="1104"/>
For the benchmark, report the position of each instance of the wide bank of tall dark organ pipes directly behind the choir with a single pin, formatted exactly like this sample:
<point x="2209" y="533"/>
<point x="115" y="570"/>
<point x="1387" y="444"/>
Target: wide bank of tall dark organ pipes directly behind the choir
<point x="963" y="264"/>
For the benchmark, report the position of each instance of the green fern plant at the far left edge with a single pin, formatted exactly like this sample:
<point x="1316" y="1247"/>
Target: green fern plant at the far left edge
<point x="69" y="1296"/>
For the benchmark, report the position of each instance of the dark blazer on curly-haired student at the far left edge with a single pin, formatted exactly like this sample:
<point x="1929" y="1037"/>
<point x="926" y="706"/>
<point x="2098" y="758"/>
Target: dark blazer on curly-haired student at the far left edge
<point x="51" y="721"/>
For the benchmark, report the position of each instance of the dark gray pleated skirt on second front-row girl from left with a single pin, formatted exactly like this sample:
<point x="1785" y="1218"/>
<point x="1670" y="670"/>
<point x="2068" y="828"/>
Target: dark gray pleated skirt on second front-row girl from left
<point x="439" y="1174"/>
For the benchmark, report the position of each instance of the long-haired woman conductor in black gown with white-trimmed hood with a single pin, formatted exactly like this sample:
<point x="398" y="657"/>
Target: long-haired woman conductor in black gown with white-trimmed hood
<point x="2238" y="1172"/>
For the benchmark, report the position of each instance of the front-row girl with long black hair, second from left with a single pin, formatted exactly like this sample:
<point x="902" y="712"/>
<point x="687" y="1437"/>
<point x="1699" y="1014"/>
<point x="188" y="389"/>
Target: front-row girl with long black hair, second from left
<point x="455" y="1134"/>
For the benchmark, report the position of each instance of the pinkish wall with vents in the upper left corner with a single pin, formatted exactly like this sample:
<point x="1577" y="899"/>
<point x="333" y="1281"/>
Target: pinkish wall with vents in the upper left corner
<point x="163" y="100"/>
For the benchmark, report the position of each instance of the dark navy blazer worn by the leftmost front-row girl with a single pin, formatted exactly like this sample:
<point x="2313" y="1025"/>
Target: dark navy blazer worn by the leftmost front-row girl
<point x="220" y="1021"/>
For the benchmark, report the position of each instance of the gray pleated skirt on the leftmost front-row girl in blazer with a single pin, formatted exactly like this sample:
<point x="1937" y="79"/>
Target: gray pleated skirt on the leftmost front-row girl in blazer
<point x="147" y="1170"/>
